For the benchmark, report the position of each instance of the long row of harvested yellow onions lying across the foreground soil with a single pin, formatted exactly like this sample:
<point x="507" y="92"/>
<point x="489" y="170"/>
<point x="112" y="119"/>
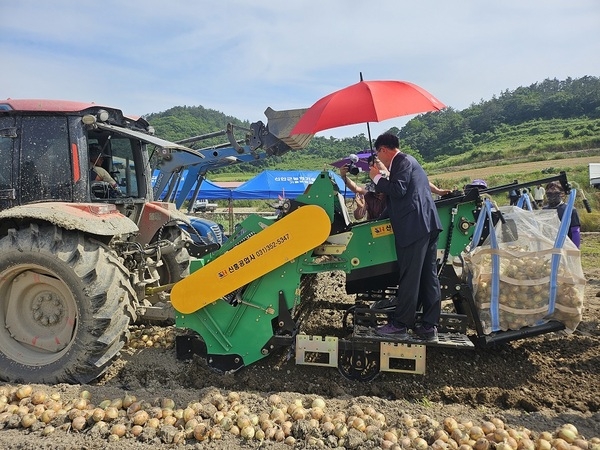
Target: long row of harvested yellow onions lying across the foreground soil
<point x="304" y="420"/>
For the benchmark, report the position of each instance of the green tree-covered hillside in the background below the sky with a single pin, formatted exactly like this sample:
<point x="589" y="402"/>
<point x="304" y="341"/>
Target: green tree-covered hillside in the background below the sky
<point x="545" y="121"/>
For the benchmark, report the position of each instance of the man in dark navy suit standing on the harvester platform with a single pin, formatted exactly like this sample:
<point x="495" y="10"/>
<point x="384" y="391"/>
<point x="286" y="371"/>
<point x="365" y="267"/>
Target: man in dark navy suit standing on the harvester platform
<point x="416" y="225"/>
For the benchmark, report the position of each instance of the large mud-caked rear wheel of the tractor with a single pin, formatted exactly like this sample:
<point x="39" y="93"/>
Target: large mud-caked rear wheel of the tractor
<point x="65" y="306"/>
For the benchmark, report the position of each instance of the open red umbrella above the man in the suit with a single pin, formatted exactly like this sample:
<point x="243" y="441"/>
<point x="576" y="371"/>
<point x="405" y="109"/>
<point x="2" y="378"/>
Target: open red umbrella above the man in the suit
<point x="366" y="101"/>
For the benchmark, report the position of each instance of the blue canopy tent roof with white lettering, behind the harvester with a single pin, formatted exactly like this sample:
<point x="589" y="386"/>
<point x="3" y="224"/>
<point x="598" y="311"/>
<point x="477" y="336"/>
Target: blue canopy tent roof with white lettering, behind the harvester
<point x="272" y="184"/>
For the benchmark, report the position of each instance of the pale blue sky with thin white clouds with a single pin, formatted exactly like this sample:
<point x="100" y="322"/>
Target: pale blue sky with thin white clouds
<point x="241" y="56"/>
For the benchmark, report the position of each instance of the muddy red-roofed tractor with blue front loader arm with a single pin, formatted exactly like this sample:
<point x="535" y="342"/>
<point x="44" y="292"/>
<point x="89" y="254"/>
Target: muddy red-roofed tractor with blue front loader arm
<point x="84" y="248"/>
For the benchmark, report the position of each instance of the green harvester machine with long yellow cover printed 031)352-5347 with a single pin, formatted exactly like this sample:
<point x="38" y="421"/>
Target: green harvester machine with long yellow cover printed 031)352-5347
<point x="248" y="300"/>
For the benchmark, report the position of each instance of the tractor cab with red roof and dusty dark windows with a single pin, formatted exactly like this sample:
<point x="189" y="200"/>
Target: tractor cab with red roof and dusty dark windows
<point x="45" y="151"/>
